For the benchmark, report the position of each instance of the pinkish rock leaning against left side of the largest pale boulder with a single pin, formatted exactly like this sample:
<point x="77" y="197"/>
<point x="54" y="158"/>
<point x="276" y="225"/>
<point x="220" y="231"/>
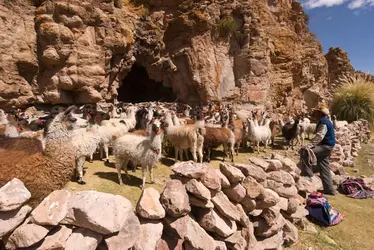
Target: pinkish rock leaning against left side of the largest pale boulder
<point x="52" y="209"/>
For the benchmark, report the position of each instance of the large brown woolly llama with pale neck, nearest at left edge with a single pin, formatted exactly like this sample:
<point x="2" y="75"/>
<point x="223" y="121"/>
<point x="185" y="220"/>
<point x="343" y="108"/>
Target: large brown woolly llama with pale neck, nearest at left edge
<point x="42" y="171"/>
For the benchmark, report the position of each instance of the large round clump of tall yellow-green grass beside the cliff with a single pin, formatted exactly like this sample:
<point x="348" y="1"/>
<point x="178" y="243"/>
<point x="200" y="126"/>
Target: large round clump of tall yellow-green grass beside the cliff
<point x="353" y="101"/>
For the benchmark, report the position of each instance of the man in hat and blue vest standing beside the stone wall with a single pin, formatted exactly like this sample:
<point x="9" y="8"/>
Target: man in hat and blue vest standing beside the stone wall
<point x="322" y="145"/>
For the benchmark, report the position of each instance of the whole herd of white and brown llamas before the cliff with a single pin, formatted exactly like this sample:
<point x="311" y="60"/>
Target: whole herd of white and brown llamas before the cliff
<point x="46" y="159"/>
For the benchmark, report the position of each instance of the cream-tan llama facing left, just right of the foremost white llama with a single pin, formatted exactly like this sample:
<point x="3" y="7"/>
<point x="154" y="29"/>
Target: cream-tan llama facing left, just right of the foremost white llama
<point x="184" y="137"/>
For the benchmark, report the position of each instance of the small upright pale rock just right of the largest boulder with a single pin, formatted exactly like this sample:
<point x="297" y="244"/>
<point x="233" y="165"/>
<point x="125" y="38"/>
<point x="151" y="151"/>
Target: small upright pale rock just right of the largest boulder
<point x="149" y="206"/>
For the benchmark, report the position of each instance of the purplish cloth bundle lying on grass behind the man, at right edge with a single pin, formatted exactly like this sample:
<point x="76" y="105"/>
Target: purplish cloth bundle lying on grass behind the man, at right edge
<point x="356" y="188"/>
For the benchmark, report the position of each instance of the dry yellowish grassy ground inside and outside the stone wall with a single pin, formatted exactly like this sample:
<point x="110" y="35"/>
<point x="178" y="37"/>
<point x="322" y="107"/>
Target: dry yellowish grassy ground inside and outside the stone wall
<point x="354" y="233"/>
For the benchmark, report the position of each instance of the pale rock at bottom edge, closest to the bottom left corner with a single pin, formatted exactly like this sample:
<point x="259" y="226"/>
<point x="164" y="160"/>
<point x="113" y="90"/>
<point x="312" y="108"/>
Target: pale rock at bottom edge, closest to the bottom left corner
<point x="26" y="235"/>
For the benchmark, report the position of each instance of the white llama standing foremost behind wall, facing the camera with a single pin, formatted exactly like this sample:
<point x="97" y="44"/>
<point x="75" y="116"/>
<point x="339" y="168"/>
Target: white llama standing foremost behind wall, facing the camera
<point x="141" y="150"/>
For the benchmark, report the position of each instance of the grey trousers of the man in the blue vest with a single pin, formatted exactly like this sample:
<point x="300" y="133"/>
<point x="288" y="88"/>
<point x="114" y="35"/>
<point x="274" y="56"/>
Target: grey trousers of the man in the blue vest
<point x="323" y="153"/>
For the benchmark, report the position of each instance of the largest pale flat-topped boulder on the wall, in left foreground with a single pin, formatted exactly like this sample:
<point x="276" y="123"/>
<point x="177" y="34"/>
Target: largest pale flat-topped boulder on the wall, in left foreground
<point x="100" y="212"/>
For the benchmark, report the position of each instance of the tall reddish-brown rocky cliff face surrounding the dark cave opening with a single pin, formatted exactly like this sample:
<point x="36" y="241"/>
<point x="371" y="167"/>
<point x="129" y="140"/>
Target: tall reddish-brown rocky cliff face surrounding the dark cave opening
<point x="80" y="51"/>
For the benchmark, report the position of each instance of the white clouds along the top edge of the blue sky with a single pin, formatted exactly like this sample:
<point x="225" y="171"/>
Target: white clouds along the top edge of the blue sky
<point x="352" y="4"/>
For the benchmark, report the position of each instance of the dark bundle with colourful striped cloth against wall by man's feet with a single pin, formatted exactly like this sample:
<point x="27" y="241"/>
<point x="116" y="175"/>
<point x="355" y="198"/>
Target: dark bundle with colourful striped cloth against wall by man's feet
<point x="321" y="212"/>
